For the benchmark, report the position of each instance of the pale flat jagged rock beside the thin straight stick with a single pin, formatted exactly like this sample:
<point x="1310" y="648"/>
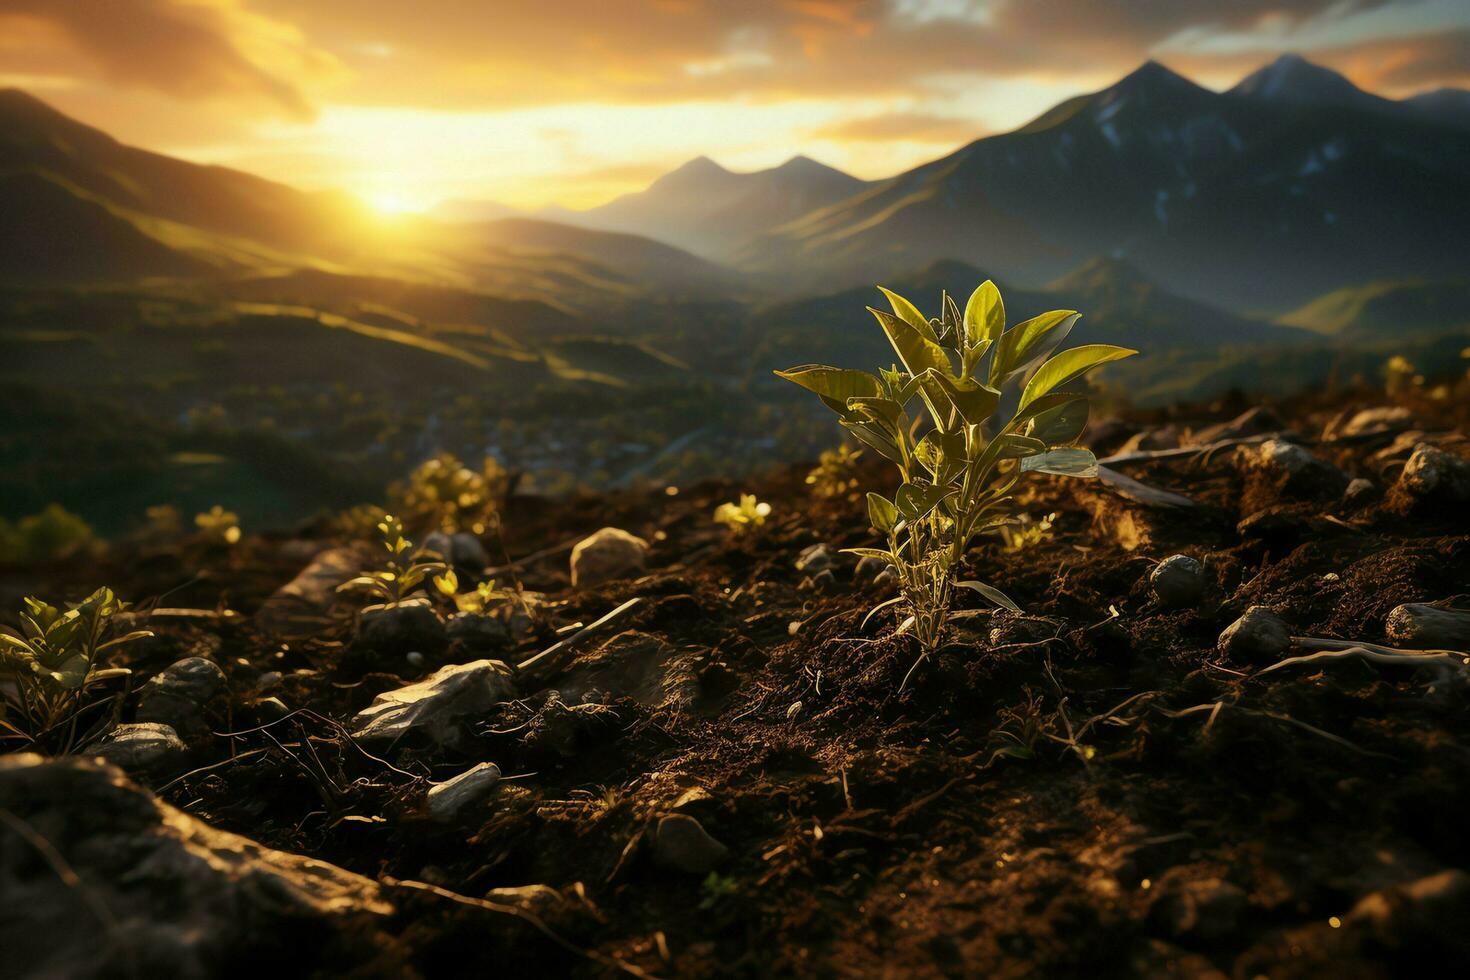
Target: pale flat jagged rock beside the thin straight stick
<point x="437" y="709"/>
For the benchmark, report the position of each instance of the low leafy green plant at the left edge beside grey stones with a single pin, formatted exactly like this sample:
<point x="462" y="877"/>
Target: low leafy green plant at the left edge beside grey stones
<point x="54" y="663"/>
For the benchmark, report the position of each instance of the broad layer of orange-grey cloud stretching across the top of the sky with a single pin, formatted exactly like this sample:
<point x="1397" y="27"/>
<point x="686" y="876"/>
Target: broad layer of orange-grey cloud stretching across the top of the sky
<point x="470" y="55"/>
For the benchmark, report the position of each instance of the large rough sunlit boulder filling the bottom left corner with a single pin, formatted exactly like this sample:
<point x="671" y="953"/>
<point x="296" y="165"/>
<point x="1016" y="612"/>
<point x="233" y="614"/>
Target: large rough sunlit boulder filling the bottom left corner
<point x="182" y="898"/>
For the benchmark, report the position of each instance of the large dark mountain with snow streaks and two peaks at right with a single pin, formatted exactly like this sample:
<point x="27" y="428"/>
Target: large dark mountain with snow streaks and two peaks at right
<point x="1256" y="199"/>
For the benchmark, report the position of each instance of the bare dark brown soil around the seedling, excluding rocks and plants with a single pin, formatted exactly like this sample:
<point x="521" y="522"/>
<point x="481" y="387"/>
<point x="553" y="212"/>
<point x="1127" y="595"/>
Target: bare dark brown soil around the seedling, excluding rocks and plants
<point x="1087" y="790"/>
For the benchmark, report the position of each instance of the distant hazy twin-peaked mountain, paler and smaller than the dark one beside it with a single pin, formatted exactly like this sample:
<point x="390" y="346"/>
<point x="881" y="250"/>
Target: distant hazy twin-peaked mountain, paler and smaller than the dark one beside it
<point x="712" y="211"/>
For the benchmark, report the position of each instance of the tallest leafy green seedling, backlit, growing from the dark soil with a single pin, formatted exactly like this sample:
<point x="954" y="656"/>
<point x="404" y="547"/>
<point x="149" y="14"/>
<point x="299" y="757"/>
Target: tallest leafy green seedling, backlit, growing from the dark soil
<point x="997" y="411"/>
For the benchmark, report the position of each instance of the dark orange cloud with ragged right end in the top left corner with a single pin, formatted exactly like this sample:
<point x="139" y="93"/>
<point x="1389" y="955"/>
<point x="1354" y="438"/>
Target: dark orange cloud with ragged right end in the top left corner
<point x="184" y="49"/>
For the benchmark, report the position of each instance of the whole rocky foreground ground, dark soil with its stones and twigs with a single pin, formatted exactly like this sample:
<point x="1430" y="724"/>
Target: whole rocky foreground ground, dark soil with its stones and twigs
<point x="1196" y="754"/>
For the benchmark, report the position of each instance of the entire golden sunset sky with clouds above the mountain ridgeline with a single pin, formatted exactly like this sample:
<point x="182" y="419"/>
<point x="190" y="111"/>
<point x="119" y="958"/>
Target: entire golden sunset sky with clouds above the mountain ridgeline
<point x="408" y="104"/>
